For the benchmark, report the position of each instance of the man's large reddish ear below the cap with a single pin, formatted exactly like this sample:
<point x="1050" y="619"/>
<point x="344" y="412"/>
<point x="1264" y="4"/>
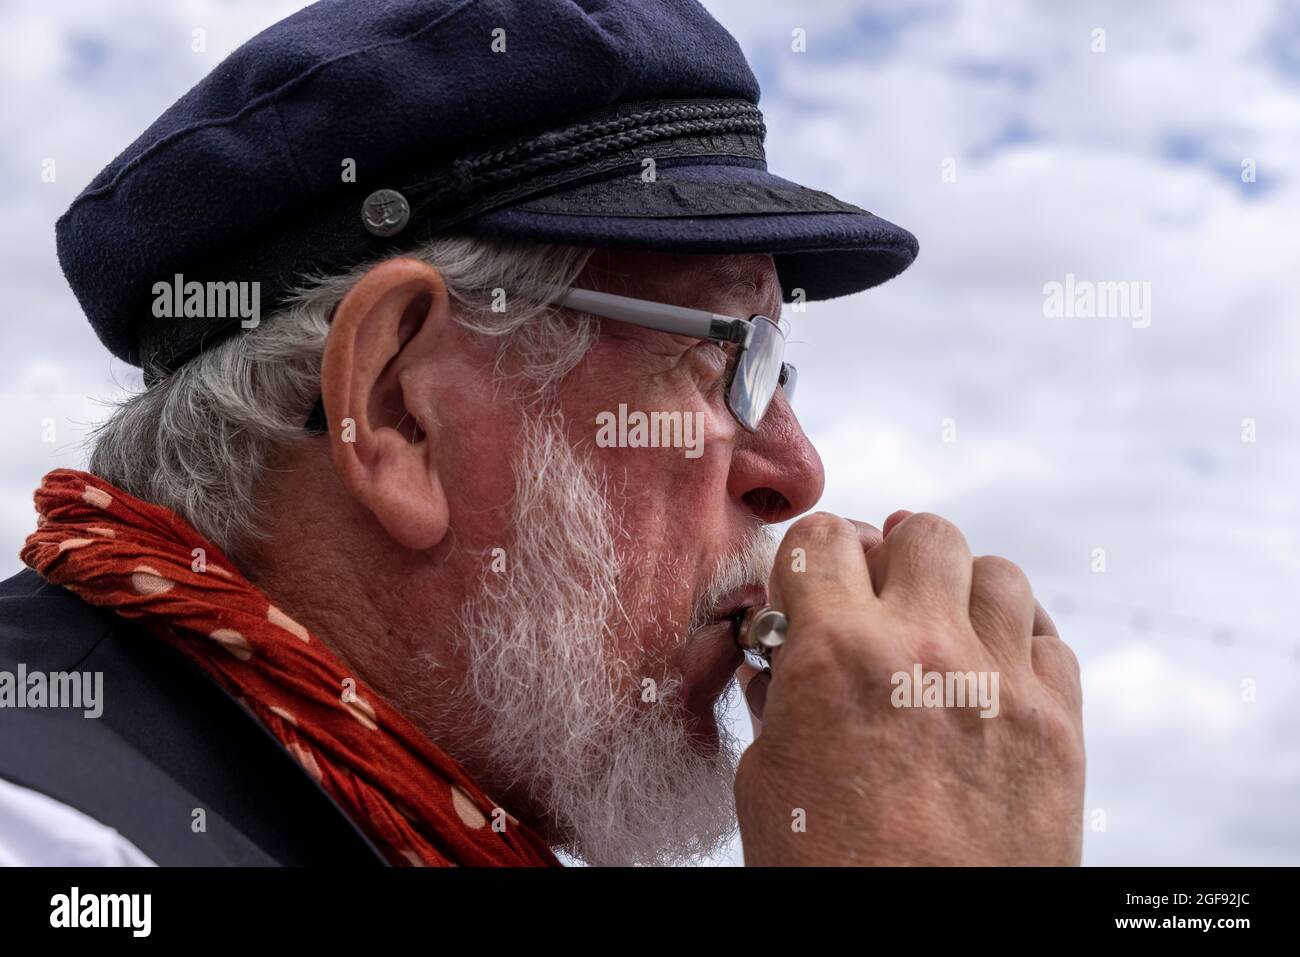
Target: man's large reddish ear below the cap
<point x="380" y="436"/>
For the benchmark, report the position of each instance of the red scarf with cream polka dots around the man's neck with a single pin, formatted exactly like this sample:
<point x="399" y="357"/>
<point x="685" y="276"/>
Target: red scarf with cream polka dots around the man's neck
<point x="415" y="803"/>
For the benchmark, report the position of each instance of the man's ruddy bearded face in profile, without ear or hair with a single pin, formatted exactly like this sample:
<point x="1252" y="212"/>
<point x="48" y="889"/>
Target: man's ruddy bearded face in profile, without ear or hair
<point x="573" y="646"/>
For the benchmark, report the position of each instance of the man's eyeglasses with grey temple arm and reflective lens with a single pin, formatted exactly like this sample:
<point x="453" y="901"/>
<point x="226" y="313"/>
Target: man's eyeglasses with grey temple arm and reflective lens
<point x="753" y="376"/>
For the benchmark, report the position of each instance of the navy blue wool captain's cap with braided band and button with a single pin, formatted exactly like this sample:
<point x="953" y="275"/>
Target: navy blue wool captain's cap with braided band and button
<point x="358" y="128"/>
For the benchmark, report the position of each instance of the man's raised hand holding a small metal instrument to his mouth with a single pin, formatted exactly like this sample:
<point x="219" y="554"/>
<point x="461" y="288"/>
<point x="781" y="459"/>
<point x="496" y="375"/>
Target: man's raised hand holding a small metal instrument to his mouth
<point x="842" y="777"/>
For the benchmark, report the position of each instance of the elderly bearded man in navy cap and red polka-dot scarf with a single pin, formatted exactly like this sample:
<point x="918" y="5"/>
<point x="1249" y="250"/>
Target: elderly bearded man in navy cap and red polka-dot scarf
<point x="467" y="421"/>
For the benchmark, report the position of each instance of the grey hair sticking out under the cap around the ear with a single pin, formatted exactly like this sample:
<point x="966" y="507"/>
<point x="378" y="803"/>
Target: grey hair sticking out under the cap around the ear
<point x="201" y="440"/>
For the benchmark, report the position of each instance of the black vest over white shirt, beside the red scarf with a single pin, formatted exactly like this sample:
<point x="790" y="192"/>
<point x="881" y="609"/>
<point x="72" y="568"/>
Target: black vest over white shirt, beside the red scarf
<point x="170" y="742"/>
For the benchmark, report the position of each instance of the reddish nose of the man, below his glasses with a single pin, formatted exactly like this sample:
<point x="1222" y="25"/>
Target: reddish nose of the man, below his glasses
<point x="775" y="473"/>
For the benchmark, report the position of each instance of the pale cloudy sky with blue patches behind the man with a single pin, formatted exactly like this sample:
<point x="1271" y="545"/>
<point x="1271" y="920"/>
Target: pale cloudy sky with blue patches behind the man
<point x="1139" y="466"/>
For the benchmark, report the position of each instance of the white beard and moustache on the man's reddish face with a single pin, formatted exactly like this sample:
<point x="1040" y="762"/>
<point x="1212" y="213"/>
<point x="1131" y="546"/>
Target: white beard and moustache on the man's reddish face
<point x="545" y="707"/>
